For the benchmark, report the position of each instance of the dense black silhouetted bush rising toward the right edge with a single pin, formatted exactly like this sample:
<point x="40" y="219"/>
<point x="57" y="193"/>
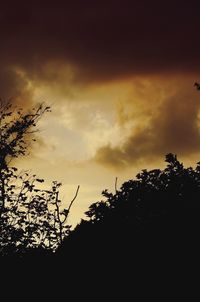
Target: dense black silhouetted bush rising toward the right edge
<point x="159" y="210"/>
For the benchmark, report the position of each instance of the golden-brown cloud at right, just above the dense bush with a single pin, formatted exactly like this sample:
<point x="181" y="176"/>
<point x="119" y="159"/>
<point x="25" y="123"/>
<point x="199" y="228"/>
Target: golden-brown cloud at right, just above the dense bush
<point x="171" y="125"/>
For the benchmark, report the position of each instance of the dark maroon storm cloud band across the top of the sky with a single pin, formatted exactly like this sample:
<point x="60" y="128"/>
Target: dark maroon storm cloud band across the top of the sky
<point x="103" y="39"/>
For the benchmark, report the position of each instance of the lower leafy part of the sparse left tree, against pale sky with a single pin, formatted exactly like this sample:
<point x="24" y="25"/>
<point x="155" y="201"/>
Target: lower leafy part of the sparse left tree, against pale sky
<point x="30" y="217"/>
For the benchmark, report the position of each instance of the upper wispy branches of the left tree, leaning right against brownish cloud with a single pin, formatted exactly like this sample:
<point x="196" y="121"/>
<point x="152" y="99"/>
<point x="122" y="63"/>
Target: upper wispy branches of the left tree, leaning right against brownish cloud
<point x="16" y="129"/>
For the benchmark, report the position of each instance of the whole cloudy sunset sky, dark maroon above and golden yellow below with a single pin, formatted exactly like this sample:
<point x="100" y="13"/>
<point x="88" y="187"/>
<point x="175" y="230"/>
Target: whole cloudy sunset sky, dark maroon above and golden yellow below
<point x="119" y="77"/>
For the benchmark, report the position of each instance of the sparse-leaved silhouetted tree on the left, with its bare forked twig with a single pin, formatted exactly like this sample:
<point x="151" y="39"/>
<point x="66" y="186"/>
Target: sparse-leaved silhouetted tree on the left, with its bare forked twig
<point x="30" y="217"/>
